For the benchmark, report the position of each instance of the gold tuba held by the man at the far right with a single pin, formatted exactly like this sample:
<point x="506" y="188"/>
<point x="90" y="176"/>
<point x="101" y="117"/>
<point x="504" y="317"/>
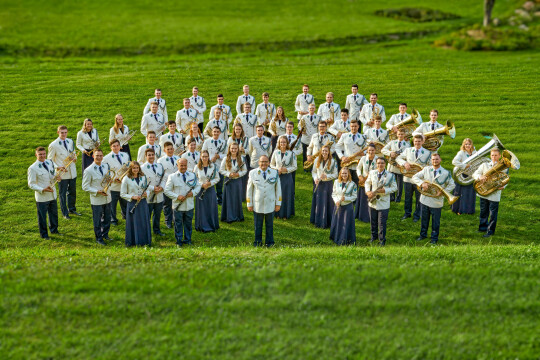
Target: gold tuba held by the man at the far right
<point x="496" y="177"/>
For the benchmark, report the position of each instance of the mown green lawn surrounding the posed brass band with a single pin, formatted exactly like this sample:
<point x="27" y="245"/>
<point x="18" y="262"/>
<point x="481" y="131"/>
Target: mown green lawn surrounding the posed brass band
<point x="68" y="298"/>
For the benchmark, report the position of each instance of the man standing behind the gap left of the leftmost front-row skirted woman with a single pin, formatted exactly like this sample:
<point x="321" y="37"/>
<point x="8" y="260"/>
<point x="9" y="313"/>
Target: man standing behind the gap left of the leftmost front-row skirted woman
<point x="118" y="162"/>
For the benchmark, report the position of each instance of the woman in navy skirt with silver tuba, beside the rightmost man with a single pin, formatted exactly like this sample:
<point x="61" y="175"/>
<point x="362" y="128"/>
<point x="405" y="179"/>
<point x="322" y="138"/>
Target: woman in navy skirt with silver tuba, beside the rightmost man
<point x="467" y="196"/>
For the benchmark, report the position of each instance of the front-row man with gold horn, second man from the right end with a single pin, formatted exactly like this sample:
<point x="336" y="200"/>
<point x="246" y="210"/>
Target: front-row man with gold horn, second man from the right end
<point x="431" y="206"/>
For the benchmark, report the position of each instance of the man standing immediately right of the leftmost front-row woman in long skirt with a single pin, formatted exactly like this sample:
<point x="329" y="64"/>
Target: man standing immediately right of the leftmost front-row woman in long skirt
<point x="156" y="177"/>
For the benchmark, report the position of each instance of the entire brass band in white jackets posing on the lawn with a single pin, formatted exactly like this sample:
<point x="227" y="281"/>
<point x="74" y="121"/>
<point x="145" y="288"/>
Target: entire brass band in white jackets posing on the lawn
<point x="186" y="171"/>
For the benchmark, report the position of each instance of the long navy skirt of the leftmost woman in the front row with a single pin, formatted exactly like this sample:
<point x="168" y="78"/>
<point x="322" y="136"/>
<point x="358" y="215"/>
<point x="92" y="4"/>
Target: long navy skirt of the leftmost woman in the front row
<point x="138" y="232"/>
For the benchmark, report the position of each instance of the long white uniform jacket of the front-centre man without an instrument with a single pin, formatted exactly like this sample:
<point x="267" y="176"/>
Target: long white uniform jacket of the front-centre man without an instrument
<point x="263" y="194"/>
